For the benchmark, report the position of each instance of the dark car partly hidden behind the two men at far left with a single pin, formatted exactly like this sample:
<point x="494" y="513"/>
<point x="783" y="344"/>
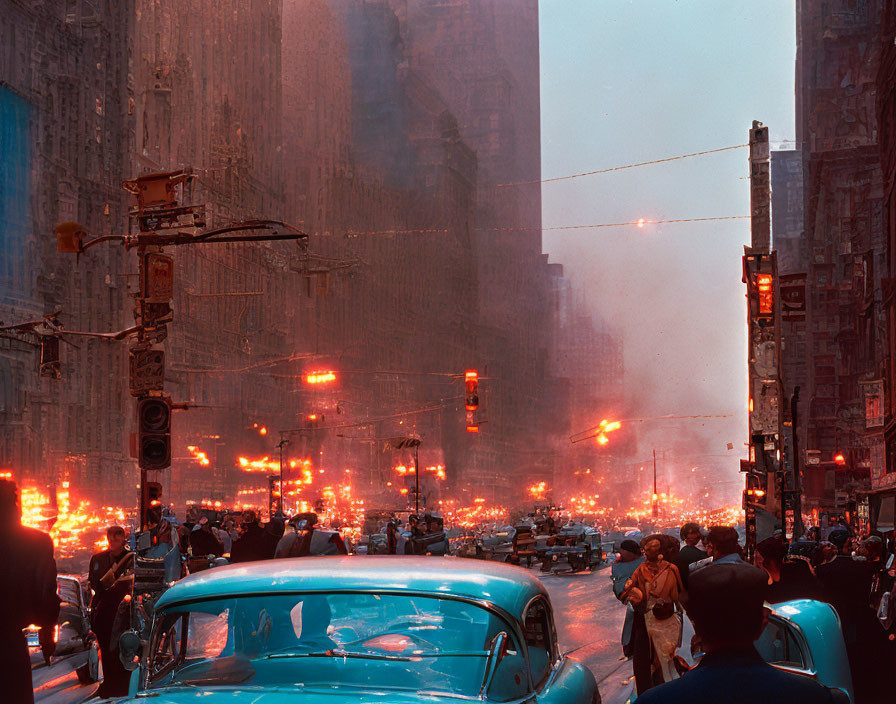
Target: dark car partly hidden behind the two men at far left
<point x="72" y="632"/>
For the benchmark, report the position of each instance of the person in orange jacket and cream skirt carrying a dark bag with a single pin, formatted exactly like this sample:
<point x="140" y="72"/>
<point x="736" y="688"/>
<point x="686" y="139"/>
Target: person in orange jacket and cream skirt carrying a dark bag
<point x="655" y="590"/>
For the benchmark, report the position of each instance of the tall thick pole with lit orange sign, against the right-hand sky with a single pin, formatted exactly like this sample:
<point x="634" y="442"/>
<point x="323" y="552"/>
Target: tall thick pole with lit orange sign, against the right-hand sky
<point x="763" y="493"/>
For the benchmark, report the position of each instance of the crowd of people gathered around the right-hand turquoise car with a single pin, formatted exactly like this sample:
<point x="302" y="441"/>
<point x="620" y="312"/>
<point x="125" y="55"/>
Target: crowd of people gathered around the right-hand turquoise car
<point x="663" y="581"/>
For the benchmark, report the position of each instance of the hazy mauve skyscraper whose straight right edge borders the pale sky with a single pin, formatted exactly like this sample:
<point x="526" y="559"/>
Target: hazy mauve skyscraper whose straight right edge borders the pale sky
<point x="482" y="58"/>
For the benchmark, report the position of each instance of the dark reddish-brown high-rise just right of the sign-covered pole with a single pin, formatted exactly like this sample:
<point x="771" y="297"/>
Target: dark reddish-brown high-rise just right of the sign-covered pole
<point x="837" y="64"/>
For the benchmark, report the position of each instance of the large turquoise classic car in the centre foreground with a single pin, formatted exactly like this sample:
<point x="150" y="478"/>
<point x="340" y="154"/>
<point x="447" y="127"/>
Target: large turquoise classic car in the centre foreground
<point x="341" y="630"/>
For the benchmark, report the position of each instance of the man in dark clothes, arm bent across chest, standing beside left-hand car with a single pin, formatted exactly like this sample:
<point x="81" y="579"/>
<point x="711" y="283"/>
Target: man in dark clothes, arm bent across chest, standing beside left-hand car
<point x="106" y="570"/>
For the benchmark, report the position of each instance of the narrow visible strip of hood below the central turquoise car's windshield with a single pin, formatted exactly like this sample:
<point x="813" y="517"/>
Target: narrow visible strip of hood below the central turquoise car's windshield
<point x="284" y="695"/>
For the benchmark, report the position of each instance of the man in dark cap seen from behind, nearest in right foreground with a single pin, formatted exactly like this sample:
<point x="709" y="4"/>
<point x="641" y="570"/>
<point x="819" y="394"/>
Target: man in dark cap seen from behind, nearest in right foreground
<point x="726" y="605"/>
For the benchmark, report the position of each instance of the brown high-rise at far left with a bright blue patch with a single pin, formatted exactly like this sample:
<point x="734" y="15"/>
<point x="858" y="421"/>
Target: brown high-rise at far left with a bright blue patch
<point x="65" y="123"/>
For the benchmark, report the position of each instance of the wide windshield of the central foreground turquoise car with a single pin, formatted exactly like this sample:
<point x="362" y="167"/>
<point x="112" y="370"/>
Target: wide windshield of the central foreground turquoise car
<point x="347" y="640"/>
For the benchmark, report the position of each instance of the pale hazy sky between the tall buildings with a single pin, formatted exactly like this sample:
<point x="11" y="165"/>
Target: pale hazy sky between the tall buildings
<point x="625" y="82"/>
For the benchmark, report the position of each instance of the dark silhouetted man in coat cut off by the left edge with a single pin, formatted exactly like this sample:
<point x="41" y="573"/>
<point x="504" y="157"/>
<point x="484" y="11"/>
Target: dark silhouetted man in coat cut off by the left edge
<point x="27" y="595"/>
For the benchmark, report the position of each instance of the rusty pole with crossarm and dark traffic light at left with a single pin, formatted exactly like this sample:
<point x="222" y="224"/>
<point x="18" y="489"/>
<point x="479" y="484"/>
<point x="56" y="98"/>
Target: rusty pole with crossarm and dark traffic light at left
<point x="162" y="221"/>
